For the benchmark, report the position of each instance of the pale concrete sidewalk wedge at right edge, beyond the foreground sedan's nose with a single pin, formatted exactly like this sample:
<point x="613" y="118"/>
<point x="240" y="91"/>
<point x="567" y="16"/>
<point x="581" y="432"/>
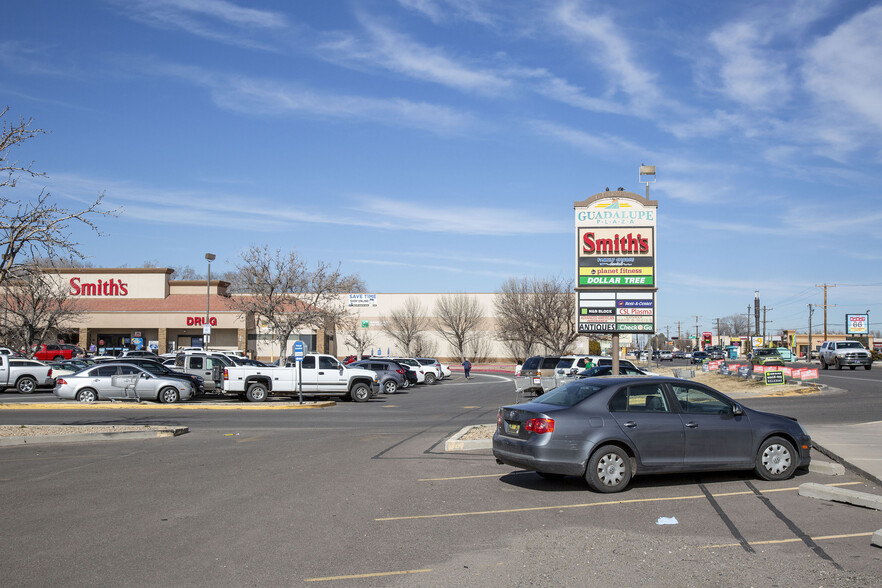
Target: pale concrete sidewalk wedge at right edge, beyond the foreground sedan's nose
<point x="857" y="447"/>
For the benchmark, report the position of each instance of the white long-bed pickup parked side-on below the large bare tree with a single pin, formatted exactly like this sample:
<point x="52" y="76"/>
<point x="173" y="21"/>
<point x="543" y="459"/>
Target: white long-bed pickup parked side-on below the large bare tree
<point x="323" y="375"/>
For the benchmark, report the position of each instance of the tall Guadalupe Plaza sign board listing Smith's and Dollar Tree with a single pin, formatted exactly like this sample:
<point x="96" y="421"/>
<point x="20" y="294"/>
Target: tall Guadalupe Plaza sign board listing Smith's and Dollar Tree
<point x="615" y="263"/>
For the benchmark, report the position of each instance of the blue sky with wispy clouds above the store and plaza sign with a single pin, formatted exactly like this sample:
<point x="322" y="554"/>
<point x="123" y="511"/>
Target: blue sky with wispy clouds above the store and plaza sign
<point x="438" y="145"/>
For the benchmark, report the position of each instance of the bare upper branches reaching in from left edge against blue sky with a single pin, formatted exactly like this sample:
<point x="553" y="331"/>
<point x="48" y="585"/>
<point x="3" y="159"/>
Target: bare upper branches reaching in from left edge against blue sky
<point x="36" y="226"/>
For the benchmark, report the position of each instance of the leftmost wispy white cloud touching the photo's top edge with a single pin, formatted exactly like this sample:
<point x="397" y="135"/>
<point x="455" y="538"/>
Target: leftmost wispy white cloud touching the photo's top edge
<point x="217" y="20"/>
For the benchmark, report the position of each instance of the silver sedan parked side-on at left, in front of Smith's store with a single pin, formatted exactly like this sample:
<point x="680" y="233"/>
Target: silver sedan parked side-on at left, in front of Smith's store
<point x="114" y="381"/>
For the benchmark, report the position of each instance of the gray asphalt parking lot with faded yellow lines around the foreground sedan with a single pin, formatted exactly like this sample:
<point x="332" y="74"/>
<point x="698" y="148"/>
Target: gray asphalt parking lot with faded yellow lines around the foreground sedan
<point x="363" y="494"/>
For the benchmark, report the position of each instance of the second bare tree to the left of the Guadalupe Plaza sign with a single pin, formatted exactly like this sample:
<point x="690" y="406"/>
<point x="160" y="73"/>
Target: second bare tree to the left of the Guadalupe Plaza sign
<point x="517" y="317"/>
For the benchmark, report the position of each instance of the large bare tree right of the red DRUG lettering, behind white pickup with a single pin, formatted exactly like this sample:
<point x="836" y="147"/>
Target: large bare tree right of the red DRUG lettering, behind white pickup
<point x="287" y="294"/>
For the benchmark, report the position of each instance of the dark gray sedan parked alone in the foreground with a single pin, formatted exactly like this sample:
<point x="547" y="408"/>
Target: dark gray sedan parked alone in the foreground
<point x="608" y="430"/>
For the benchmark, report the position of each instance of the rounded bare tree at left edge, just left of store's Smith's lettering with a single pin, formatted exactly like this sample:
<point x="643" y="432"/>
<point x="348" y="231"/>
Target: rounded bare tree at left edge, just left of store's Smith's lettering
<point x="36" y="307"/>
